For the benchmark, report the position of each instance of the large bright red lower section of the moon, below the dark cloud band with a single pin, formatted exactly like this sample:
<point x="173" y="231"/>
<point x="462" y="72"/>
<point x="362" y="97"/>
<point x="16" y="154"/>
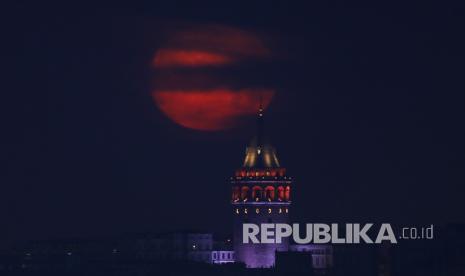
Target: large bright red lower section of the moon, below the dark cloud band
<point x="210" y="110"/>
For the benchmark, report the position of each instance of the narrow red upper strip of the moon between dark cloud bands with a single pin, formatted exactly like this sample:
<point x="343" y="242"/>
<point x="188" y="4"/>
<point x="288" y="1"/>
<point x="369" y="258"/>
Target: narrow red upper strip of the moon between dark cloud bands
<point x="179" y="58"/>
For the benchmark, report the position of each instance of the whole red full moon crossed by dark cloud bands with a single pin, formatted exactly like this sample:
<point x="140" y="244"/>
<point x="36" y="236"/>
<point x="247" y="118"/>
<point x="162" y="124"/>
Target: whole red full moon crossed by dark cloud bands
<point x="199" y="99"/>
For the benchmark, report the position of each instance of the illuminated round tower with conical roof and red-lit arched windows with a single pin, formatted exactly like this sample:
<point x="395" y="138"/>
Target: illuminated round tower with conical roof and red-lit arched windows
<point x="260" y="194"/>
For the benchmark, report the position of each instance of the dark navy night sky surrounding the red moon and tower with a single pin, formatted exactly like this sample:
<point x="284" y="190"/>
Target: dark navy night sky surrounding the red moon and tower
<point x="368" y="118"/>
